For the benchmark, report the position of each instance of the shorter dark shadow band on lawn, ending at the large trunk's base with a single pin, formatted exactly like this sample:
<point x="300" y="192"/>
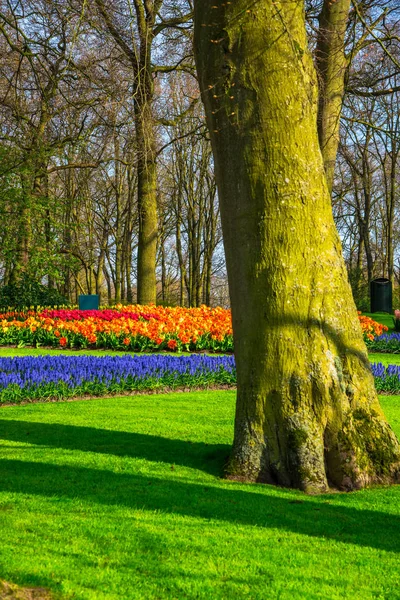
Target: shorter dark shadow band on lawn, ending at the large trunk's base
<point x="209" y="458"/>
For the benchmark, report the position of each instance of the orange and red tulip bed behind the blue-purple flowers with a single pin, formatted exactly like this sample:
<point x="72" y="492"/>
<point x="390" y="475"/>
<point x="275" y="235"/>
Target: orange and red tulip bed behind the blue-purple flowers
<point x="134" y="328"/>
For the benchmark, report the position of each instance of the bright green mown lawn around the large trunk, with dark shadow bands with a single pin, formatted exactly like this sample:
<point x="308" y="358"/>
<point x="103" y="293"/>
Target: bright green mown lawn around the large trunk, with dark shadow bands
<point x="121" y="498"/>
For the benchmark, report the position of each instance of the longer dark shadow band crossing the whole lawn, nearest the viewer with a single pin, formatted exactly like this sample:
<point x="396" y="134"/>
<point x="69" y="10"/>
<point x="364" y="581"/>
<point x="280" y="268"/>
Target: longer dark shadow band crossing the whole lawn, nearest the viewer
<point x="314" y="517"/>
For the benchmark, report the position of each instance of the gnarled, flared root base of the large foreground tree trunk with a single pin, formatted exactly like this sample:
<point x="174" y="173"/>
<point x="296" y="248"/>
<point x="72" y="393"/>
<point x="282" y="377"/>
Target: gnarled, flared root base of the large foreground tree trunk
<point x="364" y="452"/>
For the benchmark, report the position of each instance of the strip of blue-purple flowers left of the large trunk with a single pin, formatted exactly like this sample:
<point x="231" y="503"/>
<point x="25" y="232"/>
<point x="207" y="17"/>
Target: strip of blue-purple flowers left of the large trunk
<point x="41" y="377"/>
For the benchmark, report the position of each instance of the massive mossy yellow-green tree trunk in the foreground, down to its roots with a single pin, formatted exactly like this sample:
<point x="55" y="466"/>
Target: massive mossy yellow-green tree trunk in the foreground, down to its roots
<point x="307" y="412"/>
